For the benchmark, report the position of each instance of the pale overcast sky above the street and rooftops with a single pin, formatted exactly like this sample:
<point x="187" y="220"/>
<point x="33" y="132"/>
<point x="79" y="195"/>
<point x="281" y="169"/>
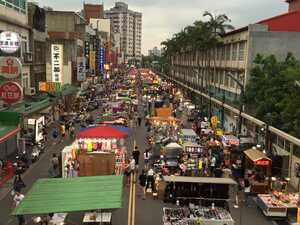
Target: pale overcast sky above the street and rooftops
<point x="163" y="18"/>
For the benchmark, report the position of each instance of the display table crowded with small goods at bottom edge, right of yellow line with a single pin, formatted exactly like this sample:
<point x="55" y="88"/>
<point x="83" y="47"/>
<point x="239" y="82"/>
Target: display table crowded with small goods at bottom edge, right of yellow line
<point x="198" y="215"/>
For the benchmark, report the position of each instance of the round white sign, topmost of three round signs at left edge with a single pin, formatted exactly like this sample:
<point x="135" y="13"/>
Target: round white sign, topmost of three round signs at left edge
<point x="9" y="42"/>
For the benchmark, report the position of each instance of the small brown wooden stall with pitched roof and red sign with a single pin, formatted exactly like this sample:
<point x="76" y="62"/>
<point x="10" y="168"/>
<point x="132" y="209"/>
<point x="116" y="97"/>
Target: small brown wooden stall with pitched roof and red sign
<point x="258" y="167"/>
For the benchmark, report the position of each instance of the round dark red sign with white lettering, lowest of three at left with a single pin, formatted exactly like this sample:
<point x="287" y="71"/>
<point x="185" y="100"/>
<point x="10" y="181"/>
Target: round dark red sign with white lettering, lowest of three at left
<point x="11" y="92"/>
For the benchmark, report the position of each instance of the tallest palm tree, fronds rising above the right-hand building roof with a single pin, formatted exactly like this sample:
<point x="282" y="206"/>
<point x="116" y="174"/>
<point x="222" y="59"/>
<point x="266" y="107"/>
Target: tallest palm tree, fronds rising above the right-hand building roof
<point x="218" y="25"/>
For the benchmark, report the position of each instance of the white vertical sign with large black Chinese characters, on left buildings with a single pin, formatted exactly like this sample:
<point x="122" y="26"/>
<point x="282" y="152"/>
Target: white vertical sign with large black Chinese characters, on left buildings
<point x="57" y="62"/>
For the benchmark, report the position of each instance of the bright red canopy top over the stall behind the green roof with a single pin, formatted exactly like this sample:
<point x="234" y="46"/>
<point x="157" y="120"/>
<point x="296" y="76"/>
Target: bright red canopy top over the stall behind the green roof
<point x="101" y="132"/>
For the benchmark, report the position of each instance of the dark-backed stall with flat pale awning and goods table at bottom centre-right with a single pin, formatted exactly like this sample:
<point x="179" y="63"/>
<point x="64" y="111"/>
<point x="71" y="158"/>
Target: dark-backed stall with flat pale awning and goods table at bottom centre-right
<point x="203" y="200"/>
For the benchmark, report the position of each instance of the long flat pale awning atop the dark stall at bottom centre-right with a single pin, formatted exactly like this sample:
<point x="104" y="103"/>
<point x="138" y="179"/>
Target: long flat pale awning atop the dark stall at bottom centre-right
<point x="203" y="180"/>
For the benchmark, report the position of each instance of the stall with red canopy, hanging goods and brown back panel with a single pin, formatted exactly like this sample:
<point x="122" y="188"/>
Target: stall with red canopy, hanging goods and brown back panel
<point x="102" y="150"/>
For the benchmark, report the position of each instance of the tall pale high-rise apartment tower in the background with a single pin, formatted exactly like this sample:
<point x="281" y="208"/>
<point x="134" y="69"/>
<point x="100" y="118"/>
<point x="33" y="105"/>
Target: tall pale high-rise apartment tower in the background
<point x="129" y="24"/>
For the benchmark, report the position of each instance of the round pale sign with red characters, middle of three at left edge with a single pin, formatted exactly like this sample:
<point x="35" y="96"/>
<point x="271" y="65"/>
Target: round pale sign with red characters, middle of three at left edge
<point x="10" y="67"/>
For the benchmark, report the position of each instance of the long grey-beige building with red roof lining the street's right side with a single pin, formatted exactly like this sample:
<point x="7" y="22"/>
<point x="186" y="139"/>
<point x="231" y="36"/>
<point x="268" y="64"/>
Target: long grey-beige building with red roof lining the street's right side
<point x="219" y="75"/>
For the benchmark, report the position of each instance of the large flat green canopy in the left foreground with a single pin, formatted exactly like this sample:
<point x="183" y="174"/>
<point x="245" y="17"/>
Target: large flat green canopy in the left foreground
<point x="72" y="194"/>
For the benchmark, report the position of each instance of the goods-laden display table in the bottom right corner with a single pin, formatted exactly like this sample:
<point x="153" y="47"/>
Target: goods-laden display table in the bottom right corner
<point x="272" y="206"/>
